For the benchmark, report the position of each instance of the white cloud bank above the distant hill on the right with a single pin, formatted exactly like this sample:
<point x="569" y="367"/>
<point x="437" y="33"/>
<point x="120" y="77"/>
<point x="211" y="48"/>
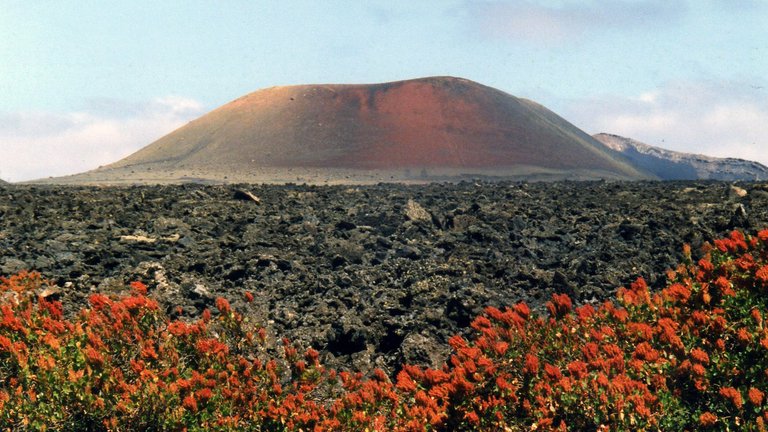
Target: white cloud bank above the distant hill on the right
<point x="715" y="119"/>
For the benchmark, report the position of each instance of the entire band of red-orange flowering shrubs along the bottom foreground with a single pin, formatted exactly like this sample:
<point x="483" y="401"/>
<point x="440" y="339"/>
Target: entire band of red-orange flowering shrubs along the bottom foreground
<point x="693" y="356"/>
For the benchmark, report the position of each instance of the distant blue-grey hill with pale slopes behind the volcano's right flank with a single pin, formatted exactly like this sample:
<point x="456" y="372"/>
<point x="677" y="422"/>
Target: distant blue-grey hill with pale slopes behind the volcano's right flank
<point x="671" y="165"/>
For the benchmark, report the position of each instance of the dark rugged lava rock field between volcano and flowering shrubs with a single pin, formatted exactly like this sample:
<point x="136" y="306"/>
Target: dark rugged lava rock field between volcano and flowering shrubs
<point x="370" y="275"/>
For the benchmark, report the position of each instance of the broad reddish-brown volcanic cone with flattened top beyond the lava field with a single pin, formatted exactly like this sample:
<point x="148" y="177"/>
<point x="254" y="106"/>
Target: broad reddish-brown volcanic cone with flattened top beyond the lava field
<point x="423" y="123"/>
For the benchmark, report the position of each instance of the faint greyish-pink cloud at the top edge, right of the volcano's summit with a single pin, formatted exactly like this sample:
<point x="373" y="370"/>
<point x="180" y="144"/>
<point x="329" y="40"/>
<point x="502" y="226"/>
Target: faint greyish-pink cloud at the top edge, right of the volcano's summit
<point x="570" y="20"/>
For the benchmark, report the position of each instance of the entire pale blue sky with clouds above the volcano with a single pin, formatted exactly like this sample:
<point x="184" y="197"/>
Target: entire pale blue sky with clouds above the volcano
<point x="86" y="82"/>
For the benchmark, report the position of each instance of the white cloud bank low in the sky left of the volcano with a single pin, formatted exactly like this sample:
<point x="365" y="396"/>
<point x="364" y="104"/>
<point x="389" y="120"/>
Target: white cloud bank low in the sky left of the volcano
<point x="41" y="144"/>
